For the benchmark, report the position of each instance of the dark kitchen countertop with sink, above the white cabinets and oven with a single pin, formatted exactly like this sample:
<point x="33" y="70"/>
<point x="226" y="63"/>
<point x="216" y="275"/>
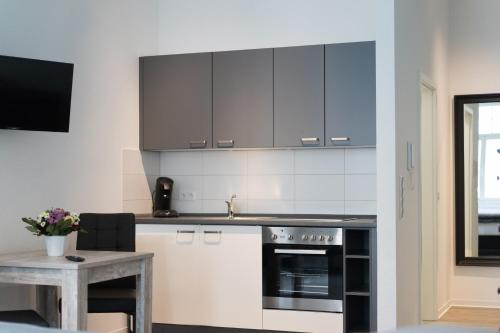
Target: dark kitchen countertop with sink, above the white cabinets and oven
<point x="350" y="221"/>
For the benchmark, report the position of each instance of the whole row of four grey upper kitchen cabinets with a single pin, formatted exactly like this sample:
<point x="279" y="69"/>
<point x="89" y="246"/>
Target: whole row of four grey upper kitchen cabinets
<point x="304" y="96"/>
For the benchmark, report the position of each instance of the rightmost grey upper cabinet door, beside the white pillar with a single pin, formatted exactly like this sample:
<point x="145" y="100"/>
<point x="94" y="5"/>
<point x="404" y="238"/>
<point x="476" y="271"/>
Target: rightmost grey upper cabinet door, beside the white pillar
<point x="350" y="94"/>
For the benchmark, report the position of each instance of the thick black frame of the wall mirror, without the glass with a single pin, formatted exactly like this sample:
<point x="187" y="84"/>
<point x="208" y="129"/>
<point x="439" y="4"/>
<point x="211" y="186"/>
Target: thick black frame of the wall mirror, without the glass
<point x="461" y="259"/>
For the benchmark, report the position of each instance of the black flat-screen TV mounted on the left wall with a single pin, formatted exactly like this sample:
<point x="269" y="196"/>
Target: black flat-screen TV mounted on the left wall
<point x="35" y="95"/>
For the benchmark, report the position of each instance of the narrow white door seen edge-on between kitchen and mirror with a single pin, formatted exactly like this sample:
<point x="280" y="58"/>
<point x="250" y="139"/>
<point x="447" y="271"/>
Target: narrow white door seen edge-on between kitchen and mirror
<point x="428" y="204"/>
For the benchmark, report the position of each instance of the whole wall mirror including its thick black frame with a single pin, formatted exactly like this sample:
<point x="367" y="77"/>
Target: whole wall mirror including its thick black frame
<point x="477" y="179"/>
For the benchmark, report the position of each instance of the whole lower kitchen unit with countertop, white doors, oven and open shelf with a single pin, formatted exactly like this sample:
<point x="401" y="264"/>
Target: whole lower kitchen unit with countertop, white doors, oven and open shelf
<point x="250" y="273"/>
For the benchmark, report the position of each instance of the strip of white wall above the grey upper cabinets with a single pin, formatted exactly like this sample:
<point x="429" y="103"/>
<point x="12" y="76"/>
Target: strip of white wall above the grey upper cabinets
<point x="199" y="25"/>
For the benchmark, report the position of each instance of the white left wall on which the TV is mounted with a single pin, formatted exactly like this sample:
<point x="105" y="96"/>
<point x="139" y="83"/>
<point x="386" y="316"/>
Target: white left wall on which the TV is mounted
<point x="81" y="170"/>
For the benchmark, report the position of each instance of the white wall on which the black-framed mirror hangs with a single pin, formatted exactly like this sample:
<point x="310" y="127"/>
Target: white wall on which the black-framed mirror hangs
<point x="474" y="68"/>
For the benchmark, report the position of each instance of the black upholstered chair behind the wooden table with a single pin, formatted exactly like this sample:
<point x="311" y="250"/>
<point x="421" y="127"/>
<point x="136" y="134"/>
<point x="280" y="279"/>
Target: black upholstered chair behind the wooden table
<point x="110" y="232"/>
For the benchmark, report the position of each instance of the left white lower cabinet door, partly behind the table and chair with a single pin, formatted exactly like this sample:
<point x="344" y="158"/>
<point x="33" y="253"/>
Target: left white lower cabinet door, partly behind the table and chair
<point x="175" y="271"/>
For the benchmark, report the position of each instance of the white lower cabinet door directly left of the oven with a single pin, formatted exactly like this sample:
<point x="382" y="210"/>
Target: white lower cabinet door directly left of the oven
<point x="231" y="276"/>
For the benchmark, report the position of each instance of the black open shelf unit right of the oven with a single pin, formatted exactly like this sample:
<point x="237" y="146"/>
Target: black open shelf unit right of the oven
<point x="360" y="280"/>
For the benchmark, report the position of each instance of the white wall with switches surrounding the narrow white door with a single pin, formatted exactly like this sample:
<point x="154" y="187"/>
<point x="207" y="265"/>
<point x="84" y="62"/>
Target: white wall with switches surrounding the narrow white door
<point x="421" y="47"/>
